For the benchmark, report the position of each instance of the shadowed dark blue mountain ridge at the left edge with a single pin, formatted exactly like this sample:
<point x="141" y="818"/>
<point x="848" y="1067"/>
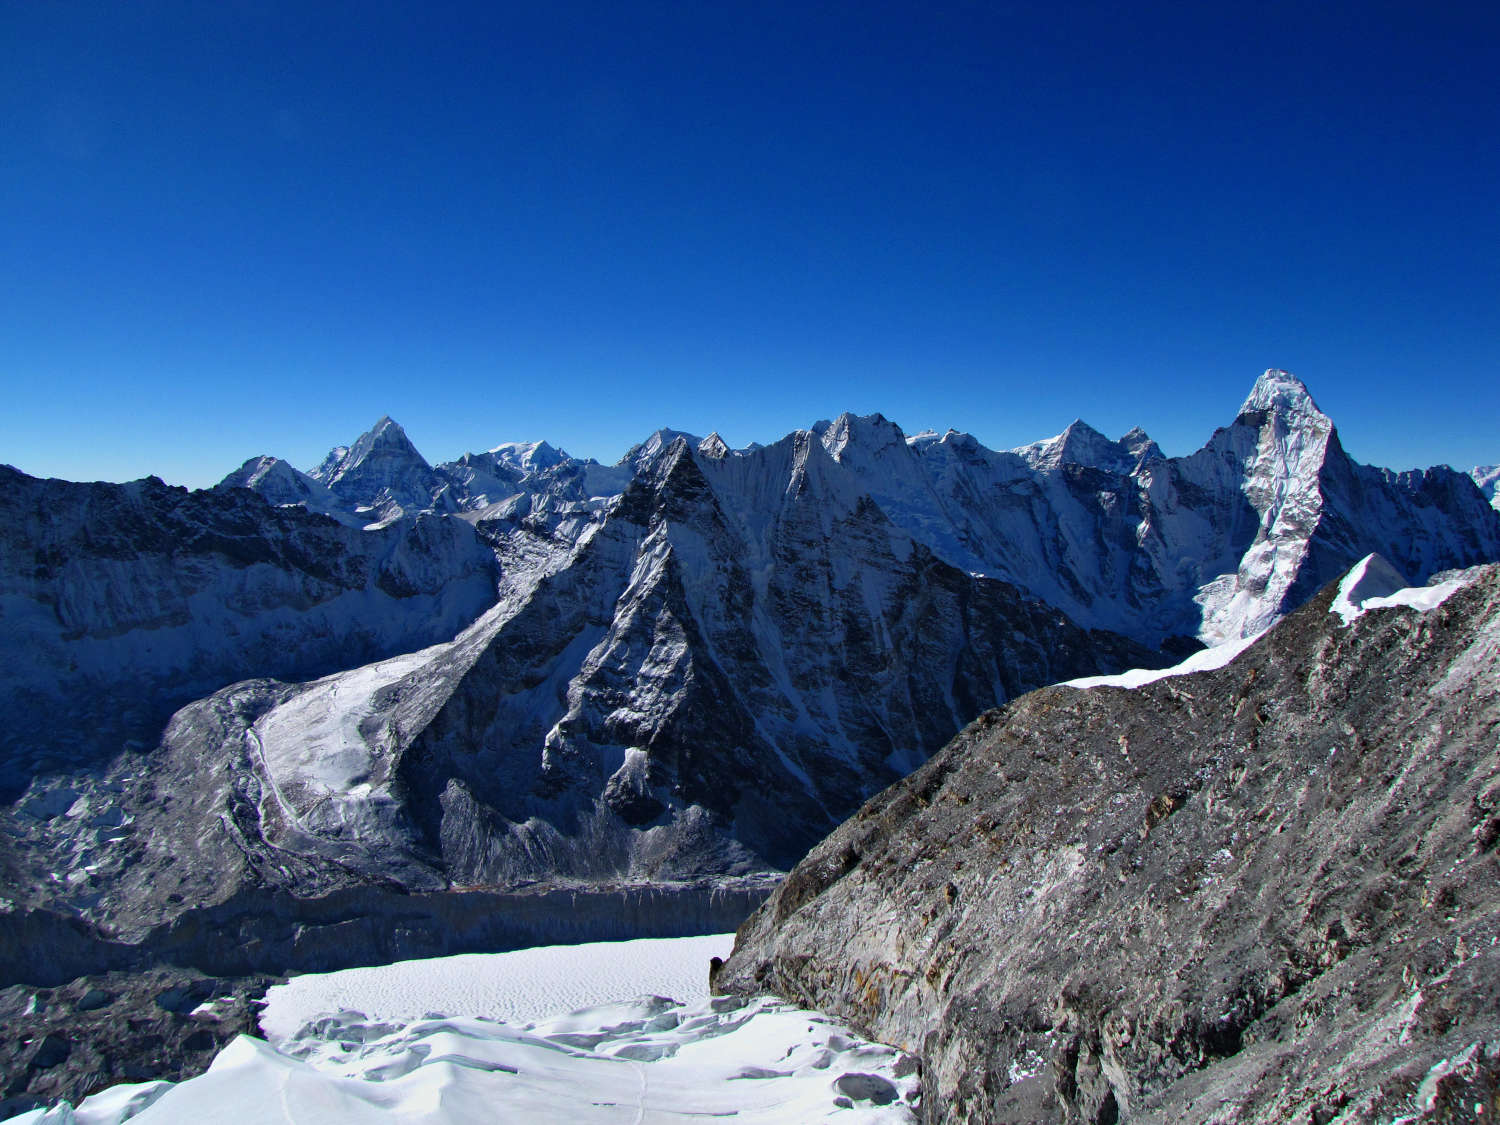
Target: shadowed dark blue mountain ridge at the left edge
<point x="124" y="602"/>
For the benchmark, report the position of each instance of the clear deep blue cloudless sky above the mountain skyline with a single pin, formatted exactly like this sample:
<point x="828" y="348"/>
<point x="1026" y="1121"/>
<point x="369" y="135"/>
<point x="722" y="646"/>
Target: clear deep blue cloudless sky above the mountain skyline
<point x="253" y="227"/>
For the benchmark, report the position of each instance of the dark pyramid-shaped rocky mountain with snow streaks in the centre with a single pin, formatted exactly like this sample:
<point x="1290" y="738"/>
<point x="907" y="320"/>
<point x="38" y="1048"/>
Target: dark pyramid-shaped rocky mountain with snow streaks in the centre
<point x="731" y="692"/>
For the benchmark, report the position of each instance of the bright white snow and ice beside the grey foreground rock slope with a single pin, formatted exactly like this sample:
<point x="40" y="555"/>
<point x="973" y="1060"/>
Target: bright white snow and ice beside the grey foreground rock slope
<point x="634" y="1057"/>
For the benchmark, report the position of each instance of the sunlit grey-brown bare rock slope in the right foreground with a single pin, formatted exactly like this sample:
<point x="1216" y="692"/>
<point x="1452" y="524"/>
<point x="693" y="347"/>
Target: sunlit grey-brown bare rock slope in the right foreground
<point x="1258" y="895"/>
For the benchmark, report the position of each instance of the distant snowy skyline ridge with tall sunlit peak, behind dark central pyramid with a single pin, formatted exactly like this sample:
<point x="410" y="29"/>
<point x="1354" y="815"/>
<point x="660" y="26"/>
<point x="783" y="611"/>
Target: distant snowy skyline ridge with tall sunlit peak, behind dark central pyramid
<point x="1078" y="520"/>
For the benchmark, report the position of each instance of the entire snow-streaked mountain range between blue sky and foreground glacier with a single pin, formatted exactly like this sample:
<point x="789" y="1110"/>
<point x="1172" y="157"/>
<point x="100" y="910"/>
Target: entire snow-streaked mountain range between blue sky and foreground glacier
<point x="695" y="662"/>
